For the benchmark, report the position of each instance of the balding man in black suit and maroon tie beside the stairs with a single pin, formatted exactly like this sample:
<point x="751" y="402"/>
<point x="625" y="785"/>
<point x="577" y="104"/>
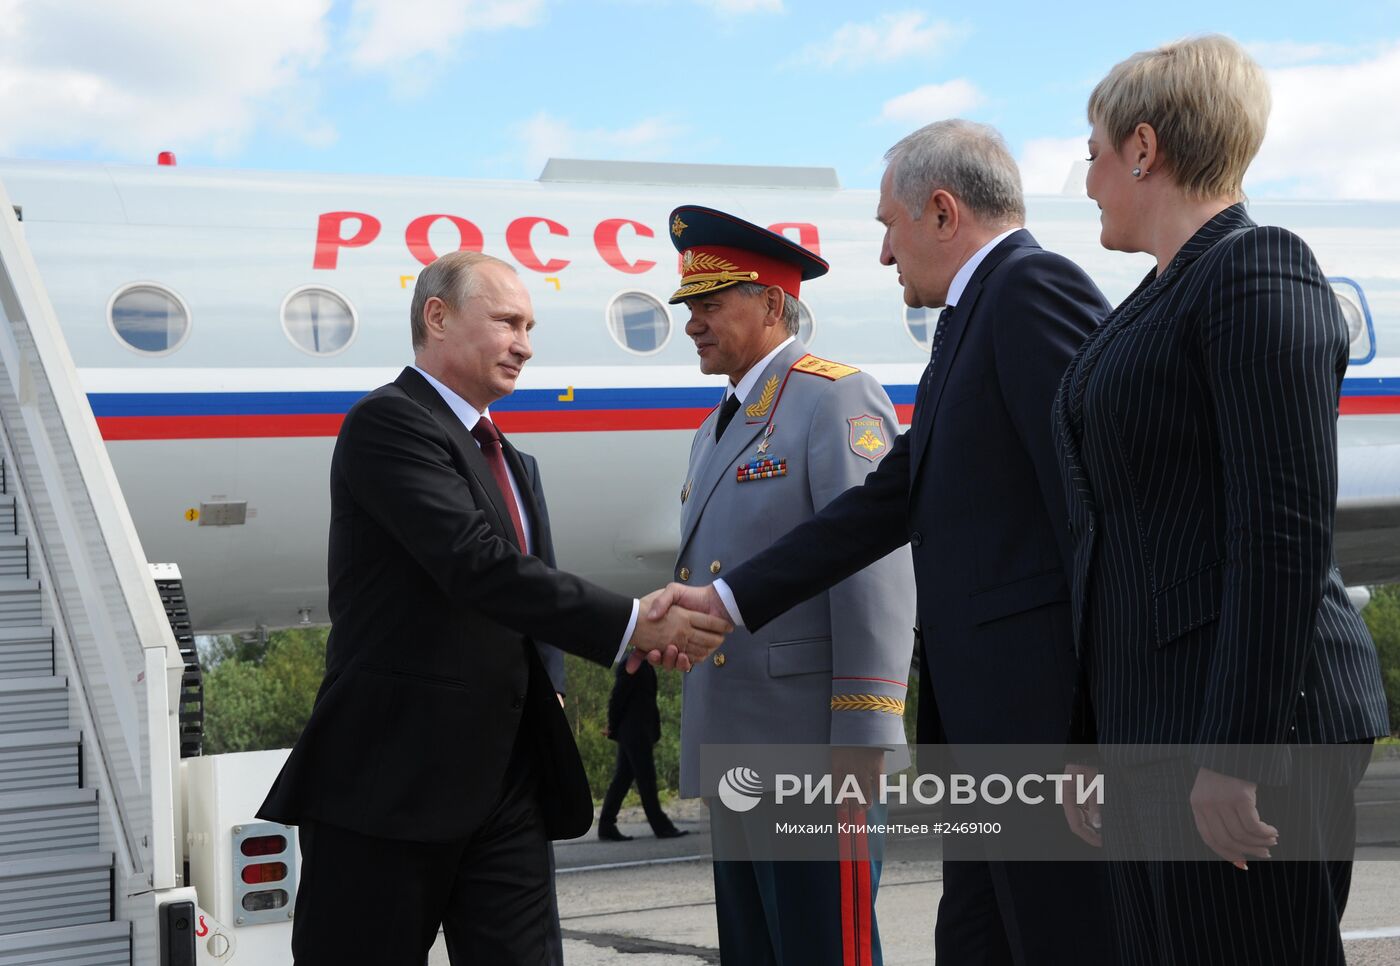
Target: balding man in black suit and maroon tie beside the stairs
<point x="437" y="762"/>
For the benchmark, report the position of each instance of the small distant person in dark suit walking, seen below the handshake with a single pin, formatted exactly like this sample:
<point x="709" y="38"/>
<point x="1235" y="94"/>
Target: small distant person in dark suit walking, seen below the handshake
<point x="635" y="723"/>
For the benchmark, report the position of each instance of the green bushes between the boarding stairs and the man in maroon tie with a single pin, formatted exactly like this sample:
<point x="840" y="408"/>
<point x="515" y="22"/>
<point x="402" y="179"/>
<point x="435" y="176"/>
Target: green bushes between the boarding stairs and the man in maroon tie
<point x="261" y="698"/>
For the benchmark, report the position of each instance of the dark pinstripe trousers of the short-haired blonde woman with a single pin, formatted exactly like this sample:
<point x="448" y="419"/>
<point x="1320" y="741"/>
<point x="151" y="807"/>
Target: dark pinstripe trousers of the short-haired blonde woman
<point x="1280" y="912"/>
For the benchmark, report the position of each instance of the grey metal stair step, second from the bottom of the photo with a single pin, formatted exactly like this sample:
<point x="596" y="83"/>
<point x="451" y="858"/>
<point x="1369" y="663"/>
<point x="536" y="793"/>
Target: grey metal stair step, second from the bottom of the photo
<point x="55" y="892"/>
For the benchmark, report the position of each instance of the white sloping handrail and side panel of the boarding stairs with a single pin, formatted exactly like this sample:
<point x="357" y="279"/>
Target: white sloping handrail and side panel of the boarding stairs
<point x="124" y="660"/>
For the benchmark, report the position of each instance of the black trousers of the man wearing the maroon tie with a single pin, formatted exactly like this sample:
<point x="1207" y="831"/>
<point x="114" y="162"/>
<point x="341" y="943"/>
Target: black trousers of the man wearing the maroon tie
<point x="366" y="899"/>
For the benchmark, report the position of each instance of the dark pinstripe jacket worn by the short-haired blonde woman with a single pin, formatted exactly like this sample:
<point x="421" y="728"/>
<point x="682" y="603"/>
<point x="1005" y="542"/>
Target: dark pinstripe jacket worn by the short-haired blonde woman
<point x="1198" y="432"/>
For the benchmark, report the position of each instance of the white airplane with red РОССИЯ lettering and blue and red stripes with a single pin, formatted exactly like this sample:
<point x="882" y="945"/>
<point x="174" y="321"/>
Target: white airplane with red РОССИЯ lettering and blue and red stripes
<point x="223" y="323"/>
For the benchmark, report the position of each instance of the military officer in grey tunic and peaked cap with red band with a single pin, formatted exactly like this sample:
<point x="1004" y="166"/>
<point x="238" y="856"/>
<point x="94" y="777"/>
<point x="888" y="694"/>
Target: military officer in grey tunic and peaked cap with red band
<point x="793" y="432"/>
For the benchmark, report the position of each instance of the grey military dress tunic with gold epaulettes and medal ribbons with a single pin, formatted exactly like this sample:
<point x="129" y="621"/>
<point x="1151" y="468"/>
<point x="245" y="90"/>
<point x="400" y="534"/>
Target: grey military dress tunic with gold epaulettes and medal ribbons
<point x="835" y="668"/>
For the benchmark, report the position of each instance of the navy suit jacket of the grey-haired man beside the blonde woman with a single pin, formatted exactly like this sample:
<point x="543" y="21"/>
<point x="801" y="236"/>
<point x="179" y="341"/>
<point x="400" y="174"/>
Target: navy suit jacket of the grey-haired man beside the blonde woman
<point x="975" y="488"/>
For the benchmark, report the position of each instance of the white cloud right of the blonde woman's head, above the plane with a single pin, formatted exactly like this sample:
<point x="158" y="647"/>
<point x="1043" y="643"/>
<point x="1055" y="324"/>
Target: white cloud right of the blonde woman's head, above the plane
<point x="1332" y="132"/>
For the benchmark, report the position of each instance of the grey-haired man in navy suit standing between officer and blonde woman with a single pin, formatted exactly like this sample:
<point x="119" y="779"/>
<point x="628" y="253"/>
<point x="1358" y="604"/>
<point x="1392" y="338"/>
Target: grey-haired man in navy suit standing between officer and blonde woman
<point x="975" y="488"/>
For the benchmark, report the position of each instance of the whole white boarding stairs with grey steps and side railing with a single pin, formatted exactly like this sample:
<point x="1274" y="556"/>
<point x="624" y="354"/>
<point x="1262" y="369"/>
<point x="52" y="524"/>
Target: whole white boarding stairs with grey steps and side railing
<point x="90" y="674"/>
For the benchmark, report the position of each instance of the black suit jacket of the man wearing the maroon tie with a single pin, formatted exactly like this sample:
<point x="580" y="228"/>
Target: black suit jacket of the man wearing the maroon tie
<point x="432" y="674"/>
